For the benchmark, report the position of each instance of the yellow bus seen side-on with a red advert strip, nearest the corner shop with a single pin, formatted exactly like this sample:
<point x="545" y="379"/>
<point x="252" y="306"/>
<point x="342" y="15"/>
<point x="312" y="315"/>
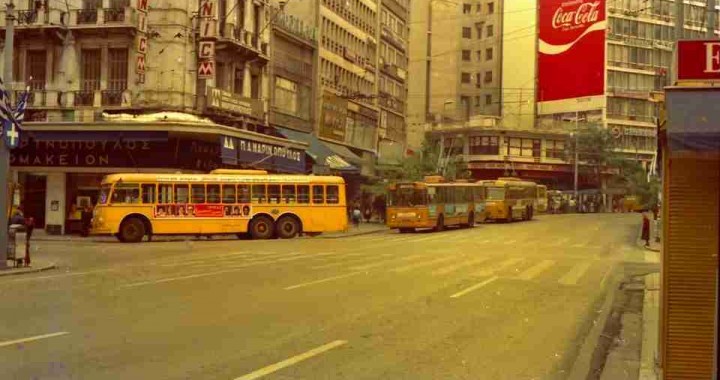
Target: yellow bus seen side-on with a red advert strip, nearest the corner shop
<point x="133" y="205"/>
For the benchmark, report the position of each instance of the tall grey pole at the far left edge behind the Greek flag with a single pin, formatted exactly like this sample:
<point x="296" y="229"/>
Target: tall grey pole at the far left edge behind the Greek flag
<point x="4" y="151"/>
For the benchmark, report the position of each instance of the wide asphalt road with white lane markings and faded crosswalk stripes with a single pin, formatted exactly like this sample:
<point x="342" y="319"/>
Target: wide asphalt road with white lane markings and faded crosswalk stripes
<point x="499" y="301"/>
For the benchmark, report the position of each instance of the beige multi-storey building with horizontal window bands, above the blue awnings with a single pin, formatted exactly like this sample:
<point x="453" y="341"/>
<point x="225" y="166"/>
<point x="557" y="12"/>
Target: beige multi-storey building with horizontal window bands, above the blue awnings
<point x="347" y="76"/>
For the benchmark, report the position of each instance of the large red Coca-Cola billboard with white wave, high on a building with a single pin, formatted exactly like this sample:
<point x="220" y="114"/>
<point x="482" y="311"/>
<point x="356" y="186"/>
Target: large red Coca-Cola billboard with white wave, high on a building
<point x="571" y="49"/>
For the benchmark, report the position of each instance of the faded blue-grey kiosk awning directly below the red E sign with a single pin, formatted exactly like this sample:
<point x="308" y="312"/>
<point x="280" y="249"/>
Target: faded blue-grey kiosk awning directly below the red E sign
<point x="693" y="119"/>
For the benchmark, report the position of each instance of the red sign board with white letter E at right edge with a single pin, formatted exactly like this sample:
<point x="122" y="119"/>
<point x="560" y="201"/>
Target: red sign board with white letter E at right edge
<point x="699" y="60"/>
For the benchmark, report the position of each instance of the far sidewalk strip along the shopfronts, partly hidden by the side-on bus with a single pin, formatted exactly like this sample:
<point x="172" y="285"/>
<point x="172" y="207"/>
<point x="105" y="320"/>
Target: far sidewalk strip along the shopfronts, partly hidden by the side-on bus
<point x="363" y="229"/>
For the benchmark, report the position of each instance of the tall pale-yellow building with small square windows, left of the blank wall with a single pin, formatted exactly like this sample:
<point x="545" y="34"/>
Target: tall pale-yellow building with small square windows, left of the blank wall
<point x="455" y="61"/>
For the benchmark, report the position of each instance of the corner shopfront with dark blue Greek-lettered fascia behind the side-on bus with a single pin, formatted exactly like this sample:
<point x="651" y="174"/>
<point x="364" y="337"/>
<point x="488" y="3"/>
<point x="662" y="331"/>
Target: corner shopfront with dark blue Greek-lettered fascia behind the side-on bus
<point x="60" y="170"/>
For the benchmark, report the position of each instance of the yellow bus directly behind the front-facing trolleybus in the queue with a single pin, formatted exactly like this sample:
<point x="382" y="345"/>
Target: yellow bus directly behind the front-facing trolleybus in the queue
<point x="509" y="198"/>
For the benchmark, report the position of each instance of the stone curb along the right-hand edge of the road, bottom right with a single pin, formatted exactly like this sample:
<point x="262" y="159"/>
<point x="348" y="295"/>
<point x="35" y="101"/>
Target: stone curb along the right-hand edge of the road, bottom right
<point x="583" y="362"/>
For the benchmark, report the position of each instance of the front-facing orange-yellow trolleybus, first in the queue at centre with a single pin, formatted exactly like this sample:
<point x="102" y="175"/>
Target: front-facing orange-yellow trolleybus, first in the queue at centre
<point x="434" y="204"/>
